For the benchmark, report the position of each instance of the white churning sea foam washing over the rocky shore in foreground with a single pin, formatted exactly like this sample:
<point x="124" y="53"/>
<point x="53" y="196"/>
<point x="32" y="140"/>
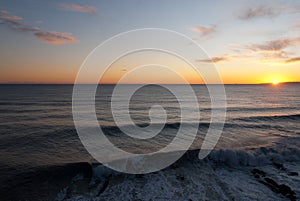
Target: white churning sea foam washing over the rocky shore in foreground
<point x="224" y="175"/>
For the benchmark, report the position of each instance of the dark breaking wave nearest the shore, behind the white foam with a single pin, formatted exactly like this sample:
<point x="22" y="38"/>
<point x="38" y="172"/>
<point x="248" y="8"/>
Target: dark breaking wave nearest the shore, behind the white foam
<point x="63" y="178"/>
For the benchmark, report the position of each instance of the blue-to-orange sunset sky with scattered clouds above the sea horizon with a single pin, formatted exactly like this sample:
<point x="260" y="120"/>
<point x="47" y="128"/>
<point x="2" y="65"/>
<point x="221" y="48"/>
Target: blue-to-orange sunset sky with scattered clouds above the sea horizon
<point x="248" y="41"/>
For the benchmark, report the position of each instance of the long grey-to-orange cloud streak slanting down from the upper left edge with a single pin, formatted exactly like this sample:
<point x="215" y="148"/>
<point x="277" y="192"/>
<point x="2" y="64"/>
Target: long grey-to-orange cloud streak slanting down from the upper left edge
<point x="15" y="22"/>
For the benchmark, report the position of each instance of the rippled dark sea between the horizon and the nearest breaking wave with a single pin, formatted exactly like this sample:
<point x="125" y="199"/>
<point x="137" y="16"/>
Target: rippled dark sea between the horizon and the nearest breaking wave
<point x="37" y="132"/>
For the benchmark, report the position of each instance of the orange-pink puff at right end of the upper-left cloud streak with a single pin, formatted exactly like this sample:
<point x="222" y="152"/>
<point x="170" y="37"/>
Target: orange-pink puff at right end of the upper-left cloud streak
<point x="56" y="38"/>
